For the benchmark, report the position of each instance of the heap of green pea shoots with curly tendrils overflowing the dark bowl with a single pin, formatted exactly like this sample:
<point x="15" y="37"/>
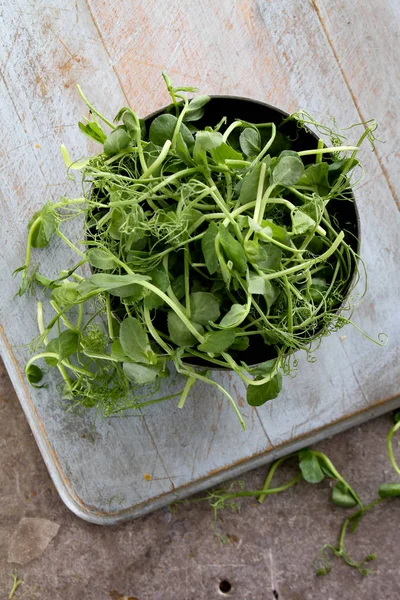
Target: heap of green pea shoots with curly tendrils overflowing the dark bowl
<point x="211" y="247"/>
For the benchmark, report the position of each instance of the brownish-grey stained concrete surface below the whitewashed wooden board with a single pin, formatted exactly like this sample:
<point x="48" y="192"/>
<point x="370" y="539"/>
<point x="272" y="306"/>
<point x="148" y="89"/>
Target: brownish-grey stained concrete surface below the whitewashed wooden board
<point x="175" y="555"/>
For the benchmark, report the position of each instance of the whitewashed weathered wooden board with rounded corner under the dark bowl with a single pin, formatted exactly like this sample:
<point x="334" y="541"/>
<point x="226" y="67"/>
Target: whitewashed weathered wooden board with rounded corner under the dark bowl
<point x="277" y="52"/>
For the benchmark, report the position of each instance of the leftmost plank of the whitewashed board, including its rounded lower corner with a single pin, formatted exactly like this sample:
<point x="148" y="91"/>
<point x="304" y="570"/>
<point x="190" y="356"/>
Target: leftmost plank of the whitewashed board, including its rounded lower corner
<point x="39" y="110"/>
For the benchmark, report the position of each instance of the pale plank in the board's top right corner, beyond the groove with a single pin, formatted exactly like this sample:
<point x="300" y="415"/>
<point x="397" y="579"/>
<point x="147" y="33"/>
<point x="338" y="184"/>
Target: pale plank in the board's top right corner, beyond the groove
<point x="365" y="38"/>
